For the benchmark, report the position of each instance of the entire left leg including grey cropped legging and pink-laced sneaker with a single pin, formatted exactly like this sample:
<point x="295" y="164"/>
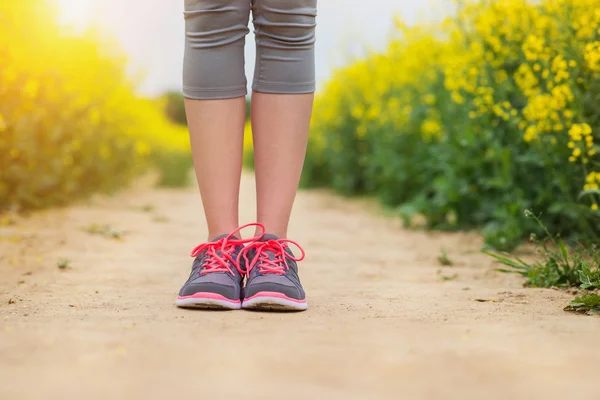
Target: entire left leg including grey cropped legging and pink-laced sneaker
<point x="215" y="87"/>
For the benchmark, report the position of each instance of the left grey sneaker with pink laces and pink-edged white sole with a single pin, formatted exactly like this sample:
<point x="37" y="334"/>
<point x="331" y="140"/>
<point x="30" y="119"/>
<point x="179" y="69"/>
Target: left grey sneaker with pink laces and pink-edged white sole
<point x="216" y="280"/>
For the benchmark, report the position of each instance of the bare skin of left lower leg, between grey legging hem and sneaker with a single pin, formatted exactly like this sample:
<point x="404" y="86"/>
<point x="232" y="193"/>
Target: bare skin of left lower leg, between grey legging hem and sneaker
<point x="216" y="135"/>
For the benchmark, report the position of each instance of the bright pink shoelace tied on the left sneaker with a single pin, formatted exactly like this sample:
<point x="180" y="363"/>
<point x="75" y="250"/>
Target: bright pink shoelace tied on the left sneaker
<point x="215" y="262"/>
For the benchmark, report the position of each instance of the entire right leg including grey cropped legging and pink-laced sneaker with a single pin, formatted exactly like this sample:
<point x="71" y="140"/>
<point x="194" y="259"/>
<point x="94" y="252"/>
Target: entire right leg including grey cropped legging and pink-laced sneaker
<point x="284" y="82"/>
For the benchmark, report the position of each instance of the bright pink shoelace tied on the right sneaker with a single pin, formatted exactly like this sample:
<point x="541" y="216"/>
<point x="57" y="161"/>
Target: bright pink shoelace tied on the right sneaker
<point x="278" y="264"/>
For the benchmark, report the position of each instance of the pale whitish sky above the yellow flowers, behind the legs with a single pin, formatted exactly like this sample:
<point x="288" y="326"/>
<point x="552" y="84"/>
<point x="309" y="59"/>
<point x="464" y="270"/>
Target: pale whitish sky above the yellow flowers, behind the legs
<point x="151" y="32"/>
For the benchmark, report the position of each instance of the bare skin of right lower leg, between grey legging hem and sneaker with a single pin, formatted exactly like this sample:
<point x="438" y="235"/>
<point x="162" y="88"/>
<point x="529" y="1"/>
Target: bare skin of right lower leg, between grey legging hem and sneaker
<point x="280" y="125"/>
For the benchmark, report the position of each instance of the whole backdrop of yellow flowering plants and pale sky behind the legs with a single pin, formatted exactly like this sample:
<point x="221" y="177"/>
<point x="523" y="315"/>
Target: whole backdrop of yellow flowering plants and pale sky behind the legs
<point x="464" y="113"/>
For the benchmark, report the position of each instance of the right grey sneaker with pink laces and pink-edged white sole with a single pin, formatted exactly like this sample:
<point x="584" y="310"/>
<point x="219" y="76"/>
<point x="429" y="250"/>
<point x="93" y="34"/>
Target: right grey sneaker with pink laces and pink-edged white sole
<point x="272" y="275"/>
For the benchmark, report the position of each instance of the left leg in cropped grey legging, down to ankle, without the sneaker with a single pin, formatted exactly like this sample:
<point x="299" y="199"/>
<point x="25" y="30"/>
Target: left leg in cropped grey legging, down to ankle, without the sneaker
<point x="215" y="89"/>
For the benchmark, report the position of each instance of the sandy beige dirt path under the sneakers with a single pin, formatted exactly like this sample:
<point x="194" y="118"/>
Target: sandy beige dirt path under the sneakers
<point x="381" y="323"/>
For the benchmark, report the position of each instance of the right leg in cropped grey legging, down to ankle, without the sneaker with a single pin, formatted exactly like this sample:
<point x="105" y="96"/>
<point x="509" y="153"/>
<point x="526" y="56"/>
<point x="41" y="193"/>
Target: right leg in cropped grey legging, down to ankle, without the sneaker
<point x="284" y="82"/>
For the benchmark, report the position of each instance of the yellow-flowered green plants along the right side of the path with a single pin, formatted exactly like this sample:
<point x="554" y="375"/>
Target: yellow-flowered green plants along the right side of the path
<point x="471" y="121"/>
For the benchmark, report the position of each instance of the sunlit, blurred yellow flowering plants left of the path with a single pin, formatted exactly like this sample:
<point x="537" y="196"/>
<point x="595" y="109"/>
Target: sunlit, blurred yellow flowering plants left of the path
<point x="70" y="121"/>
